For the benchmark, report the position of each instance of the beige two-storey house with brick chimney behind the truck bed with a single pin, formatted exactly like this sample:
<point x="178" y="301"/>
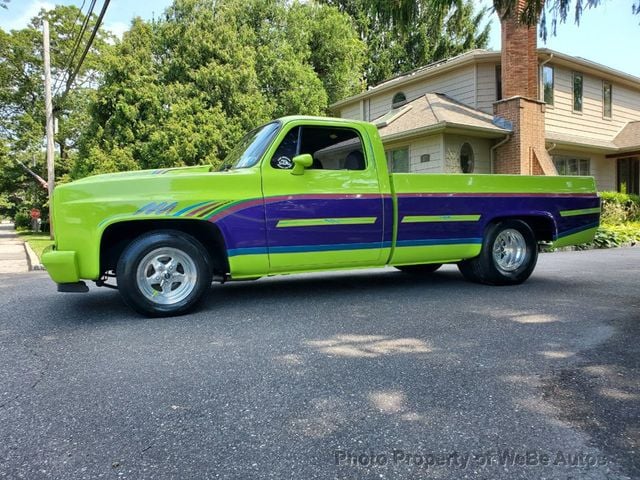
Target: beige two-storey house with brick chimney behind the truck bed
<point x="525" y="110"/>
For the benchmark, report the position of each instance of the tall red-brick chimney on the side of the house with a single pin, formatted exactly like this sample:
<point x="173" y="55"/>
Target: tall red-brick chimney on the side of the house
<point x="525" y="152"/>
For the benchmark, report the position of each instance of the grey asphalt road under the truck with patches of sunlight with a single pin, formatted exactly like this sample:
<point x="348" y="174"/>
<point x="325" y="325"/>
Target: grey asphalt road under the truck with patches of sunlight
<point x="364" y="374"/>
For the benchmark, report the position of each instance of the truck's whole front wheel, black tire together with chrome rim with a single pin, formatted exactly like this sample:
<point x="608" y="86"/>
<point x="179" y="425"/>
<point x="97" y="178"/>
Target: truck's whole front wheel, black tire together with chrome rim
<point x="183" y="273"/>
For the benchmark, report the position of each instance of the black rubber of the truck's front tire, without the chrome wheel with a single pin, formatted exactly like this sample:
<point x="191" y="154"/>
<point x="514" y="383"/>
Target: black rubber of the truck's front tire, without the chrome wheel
<point x="129" y="261"/>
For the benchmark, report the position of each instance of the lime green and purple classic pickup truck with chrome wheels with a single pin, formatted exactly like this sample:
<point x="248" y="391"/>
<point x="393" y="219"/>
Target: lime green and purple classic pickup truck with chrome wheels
<point x="304" y="194"/>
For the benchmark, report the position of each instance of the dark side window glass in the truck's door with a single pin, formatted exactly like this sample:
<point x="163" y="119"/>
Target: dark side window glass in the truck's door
<point x="331" y="148"/>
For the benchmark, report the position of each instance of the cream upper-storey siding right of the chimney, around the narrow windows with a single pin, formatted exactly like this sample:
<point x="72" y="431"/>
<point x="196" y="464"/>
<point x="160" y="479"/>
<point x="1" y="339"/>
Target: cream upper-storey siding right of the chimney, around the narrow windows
<point x="560" y="118"/>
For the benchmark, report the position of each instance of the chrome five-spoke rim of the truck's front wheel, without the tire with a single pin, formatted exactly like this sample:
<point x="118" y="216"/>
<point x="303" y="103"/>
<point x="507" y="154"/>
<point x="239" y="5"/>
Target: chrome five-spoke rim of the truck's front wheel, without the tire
<point x="166" y="276"/>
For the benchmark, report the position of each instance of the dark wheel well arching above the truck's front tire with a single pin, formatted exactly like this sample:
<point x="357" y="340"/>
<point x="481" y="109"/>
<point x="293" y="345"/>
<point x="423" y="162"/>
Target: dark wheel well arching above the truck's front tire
<point x="117" y="236"/>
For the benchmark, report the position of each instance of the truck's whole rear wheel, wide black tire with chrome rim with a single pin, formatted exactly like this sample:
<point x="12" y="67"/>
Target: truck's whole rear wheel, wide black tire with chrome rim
<point x="497" y="269"/>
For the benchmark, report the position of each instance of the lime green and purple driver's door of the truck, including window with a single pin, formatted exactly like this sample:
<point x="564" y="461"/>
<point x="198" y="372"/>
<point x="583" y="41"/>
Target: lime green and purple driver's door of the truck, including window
<point x="331" y="216"/>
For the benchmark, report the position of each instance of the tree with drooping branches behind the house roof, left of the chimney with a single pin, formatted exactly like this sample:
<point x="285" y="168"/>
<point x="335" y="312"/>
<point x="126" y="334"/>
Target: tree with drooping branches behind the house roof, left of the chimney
<point x="406" y="34"/>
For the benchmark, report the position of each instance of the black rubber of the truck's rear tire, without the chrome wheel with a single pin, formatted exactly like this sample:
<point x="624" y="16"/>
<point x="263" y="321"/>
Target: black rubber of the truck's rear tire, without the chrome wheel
<point x="491" y="272"/>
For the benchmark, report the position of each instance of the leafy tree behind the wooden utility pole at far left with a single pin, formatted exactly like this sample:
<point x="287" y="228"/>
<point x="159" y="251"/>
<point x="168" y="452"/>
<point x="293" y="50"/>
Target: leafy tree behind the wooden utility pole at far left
<point x="22" y="118"/>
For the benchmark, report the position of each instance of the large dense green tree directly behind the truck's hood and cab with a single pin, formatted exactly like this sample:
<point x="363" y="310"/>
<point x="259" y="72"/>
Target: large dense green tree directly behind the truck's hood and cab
<point x="183" y="89"/>
